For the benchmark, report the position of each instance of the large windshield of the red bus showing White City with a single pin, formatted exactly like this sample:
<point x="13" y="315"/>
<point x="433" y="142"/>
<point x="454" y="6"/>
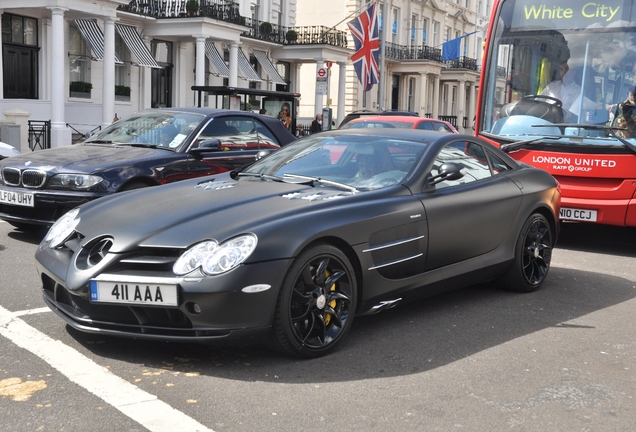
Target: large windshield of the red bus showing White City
<point x="566" y="71"/>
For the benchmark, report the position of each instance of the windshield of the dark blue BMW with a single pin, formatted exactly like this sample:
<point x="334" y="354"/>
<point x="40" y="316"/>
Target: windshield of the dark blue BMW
<point x="167" y="129"/>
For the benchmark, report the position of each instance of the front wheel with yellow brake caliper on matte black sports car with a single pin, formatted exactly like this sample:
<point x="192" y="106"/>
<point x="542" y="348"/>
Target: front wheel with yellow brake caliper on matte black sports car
<point x="316" y="304"/>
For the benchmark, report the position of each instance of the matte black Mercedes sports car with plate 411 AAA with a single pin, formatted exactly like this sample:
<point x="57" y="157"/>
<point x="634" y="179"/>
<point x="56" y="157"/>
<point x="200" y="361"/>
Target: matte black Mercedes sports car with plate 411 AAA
<point x="288" y="250"/>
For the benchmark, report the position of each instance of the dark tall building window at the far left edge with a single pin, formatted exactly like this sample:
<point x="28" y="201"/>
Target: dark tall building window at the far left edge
<point x="20" y="56"/>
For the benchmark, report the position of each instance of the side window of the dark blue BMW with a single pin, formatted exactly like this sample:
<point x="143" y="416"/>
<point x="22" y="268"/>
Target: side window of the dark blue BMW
<point x="238" y="133"/>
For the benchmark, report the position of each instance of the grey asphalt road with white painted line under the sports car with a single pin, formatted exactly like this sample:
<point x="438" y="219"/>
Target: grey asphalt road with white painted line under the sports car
<point x="478" y="359"/>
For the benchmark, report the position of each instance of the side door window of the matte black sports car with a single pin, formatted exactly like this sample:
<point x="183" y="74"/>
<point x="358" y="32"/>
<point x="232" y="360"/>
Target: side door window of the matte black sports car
<point x="468" y="154"/>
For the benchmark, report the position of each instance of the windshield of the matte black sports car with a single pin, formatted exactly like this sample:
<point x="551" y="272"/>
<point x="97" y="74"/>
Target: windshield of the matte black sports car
<point x="357" y="161"/>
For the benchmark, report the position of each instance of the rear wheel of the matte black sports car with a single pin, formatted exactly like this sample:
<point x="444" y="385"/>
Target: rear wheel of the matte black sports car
<point x="533" y="252"/>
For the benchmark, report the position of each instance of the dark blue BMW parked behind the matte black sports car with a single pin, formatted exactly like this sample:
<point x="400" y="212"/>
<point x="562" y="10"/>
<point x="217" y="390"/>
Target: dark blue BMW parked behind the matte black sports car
<point x="145" y="149"/>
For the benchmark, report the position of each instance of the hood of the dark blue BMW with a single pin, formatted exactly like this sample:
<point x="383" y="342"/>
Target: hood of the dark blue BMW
<point x="80" y="158"/>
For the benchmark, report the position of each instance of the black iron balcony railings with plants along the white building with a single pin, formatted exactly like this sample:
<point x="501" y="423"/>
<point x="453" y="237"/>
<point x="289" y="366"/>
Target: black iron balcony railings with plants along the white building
<point x="228" y="11"/>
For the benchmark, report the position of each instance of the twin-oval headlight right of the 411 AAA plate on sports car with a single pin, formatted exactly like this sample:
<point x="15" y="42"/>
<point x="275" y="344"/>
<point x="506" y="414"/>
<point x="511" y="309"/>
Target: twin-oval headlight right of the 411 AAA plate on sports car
<point x="213" y="258"/>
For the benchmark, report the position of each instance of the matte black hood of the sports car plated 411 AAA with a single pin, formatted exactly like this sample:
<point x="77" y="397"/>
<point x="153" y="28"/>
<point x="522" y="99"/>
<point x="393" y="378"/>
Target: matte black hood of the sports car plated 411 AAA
<point x="183" y="213"/>
